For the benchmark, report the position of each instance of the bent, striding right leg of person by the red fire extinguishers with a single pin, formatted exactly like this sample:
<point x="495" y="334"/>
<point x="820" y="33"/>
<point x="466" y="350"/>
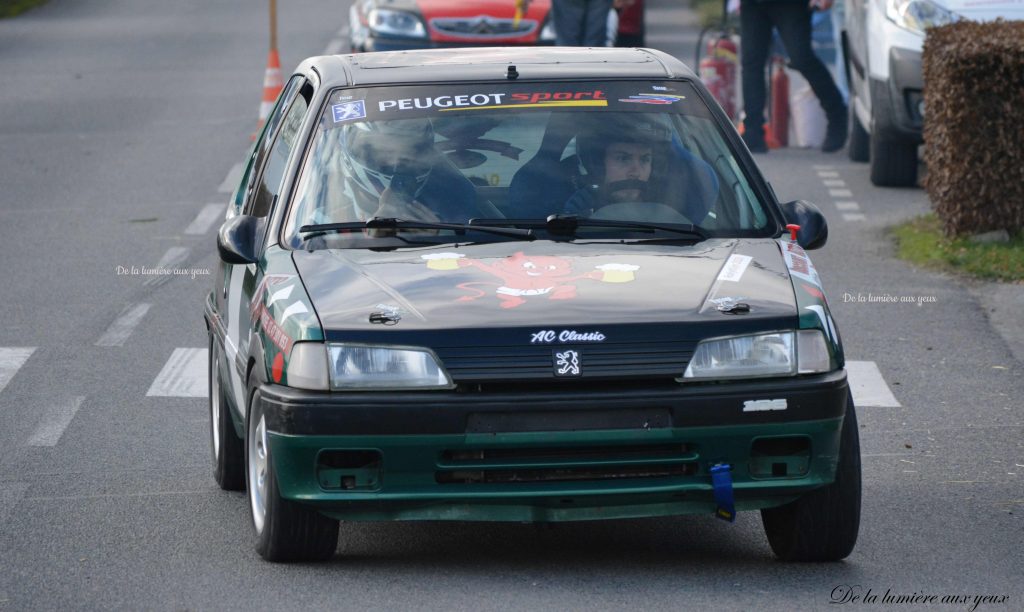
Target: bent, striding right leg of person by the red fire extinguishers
<point x="794" y="24"/>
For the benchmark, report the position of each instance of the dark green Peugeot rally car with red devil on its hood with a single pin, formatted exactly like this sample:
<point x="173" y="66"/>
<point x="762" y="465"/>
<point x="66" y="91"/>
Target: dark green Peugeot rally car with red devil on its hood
<point x="522" y="285"/>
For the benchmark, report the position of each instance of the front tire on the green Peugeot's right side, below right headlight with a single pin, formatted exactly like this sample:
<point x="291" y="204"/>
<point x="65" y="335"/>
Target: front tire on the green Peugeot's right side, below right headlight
<point x="823" y="526"/>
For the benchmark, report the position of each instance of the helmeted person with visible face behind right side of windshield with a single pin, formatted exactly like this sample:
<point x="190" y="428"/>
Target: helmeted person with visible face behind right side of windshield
<point x="619" y="156"/>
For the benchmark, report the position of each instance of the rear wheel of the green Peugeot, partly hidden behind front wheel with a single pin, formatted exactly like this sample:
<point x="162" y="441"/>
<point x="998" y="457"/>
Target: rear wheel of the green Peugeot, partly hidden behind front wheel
<point x="227" y="448"/>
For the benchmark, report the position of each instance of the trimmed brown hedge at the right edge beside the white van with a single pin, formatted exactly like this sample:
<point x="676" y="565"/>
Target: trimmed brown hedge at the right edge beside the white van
<point x="974" y="125"/>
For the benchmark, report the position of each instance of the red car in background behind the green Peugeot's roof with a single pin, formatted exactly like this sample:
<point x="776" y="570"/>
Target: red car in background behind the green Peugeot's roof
<point x="399" y="25"/>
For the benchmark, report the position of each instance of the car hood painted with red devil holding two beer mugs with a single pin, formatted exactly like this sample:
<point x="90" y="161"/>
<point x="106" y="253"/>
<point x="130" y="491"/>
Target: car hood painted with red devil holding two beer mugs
<point x="550" y="285"/>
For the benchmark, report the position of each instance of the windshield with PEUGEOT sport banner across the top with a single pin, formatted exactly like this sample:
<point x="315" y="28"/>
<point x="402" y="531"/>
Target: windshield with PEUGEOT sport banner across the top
<point x="515" y="154"/>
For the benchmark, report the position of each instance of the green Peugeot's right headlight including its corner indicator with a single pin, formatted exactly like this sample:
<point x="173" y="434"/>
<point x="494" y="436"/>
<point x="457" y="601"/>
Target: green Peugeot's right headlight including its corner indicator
<point x="779" y="355"/>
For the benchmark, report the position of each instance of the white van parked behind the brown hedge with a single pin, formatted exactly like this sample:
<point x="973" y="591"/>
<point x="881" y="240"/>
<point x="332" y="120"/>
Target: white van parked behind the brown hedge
<point x="883" y="41"/>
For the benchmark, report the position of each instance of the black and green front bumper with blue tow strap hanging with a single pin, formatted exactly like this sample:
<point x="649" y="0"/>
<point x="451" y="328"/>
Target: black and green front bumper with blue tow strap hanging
<point x="552" y="456"/>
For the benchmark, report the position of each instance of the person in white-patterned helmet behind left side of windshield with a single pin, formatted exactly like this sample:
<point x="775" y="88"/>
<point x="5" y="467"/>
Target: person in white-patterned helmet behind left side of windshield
<point x="393" y="169"/>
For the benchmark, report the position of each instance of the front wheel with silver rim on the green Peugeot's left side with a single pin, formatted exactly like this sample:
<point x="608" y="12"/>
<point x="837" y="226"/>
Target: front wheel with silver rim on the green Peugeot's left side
<point x="288" y="532"/>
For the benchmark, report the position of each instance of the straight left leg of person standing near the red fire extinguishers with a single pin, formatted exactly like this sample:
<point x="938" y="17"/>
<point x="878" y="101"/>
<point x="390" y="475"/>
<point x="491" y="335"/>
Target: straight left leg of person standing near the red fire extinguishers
<point x="755" y="32"/>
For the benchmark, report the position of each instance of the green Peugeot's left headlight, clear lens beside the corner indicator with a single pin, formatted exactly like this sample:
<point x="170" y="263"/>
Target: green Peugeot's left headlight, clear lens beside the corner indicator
<point x="373" y="368"/>
